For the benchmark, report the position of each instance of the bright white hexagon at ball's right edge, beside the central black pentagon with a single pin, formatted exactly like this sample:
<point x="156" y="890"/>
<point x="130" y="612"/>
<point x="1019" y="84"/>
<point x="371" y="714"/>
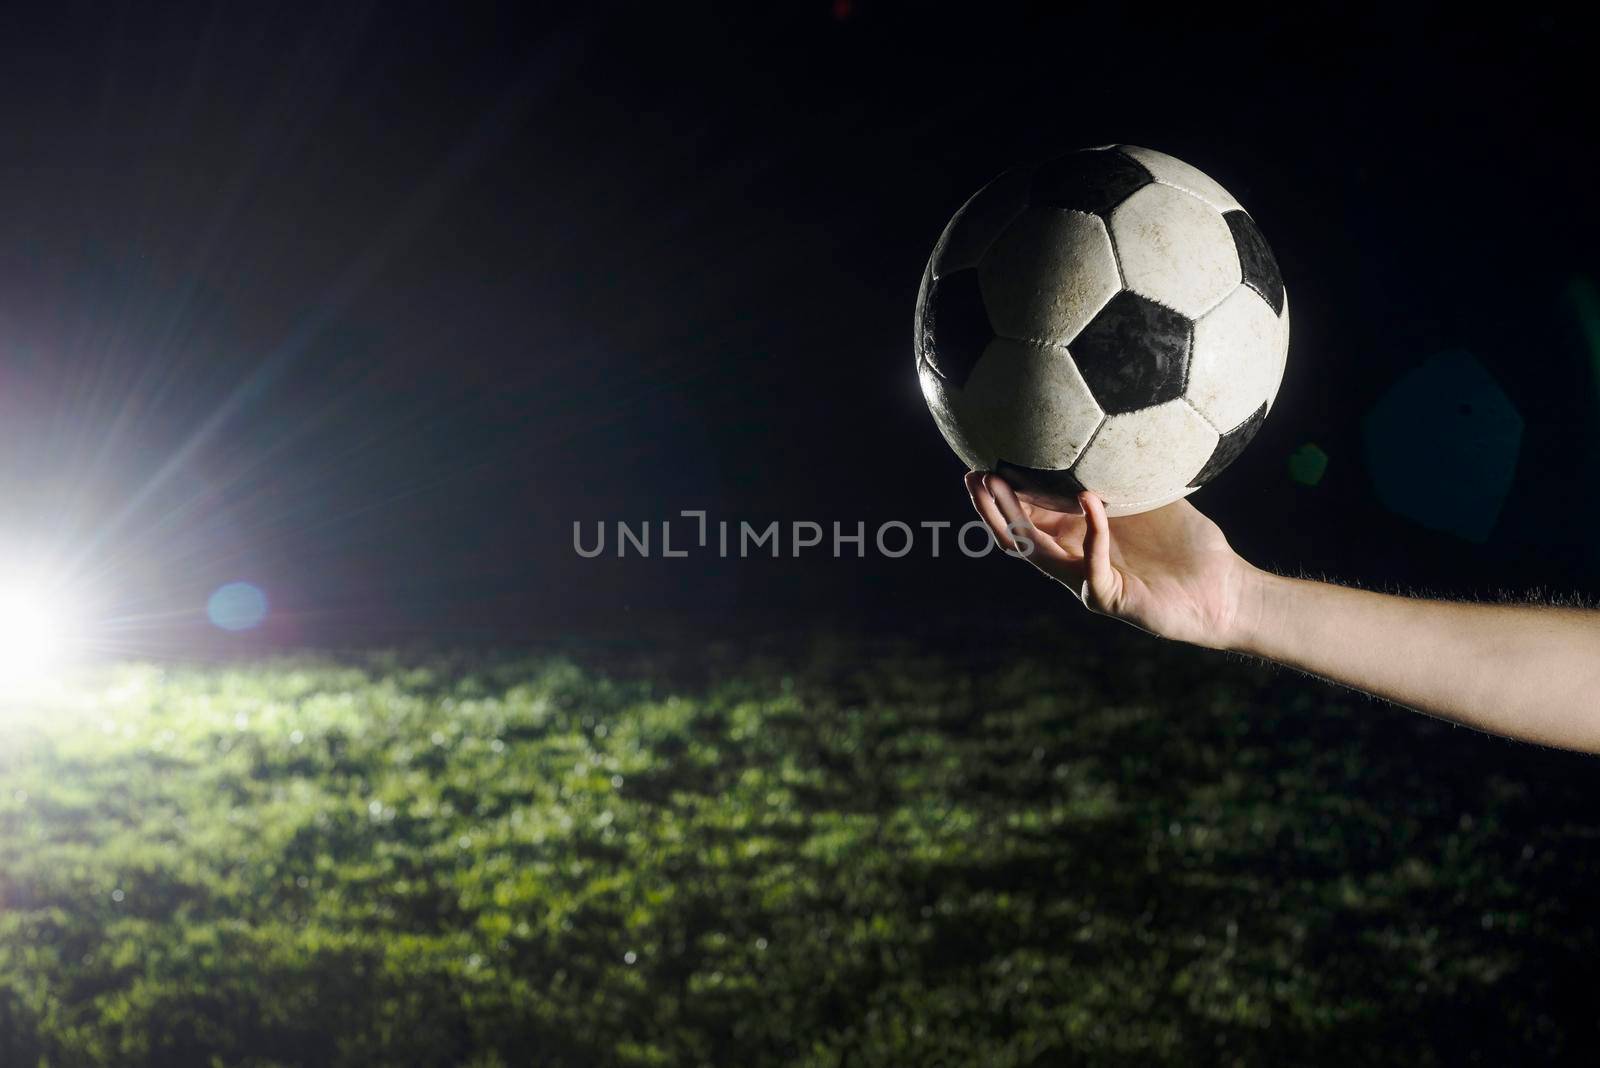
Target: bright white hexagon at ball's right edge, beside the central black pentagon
<point x="1236" y="359"/>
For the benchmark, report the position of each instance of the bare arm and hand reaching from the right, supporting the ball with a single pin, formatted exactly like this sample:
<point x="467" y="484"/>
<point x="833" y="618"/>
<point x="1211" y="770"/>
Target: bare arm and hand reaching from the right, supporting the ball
<point x="1527" y="672"/>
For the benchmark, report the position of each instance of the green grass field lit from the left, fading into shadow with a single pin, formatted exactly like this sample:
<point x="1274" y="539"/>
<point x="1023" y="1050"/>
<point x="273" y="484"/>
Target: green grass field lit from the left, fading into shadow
<point x="826" y="853"/>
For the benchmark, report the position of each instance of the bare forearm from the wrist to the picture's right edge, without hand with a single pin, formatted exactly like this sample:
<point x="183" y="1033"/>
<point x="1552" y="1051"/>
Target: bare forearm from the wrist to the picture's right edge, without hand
<point x="1527" y="672"/>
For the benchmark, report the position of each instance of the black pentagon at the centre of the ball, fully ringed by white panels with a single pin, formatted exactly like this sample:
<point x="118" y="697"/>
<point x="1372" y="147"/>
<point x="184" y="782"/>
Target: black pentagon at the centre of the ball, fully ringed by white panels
<point x="1135" y="354"/>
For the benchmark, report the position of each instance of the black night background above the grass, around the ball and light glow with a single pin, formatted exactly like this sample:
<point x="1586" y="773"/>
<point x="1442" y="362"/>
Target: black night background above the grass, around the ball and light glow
<point x="369" y="305"/>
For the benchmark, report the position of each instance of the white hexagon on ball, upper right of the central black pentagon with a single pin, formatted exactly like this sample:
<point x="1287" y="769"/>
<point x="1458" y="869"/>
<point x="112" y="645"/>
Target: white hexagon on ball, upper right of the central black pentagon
<point x="1175" y="250"/>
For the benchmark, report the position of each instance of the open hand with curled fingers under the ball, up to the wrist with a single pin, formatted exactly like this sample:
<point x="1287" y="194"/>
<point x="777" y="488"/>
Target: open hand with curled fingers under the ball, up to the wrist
<point x="1167" y="572"/>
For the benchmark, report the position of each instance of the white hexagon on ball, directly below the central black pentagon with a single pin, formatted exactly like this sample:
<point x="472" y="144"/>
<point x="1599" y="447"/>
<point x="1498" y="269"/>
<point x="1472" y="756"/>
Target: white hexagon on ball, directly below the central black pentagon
<point x="1148" y="455"/>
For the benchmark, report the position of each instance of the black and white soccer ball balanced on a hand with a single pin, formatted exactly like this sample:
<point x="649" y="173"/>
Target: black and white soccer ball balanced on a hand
<point x="1108" y="321"/>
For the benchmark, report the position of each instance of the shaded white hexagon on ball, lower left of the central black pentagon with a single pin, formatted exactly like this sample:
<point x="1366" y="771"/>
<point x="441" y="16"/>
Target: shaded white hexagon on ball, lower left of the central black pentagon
<point x="1028" y="404"/>
